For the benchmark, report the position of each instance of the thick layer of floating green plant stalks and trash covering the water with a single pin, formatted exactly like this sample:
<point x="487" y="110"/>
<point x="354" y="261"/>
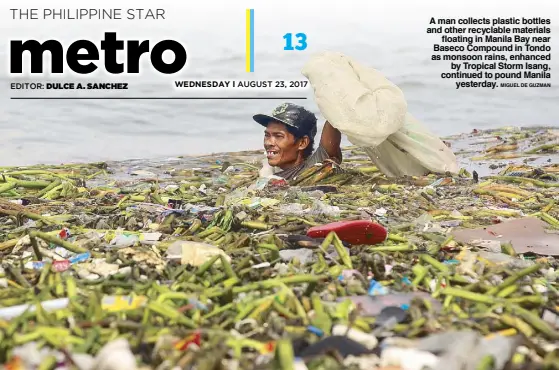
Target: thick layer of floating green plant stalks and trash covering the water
<point x="204" y="263"/>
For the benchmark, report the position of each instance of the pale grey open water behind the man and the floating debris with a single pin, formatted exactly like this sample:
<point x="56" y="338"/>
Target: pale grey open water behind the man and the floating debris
<point x="91" y="130"/>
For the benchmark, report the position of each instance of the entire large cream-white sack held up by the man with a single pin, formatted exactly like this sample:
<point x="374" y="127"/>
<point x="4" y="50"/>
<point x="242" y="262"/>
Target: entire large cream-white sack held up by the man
<point x="372" y="112"/>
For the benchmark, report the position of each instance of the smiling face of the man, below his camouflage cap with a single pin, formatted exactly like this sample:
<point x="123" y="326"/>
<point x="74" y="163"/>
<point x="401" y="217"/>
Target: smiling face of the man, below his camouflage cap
<point x="282" y="150"/>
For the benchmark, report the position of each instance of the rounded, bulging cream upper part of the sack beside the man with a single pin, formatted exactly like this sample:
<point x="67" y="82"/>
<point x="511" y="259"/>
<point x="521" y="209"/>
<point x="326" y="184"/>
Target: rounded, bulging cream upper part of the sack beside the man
<point x="356" y="100"/>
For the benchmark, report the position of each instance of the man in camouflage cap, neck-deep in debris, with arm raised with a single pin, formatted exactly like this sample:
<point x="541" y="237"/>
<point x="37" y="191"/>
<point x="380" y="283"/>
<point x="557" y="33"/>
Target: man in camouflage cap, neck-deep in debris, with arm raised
<point x="289" y="140"/>
